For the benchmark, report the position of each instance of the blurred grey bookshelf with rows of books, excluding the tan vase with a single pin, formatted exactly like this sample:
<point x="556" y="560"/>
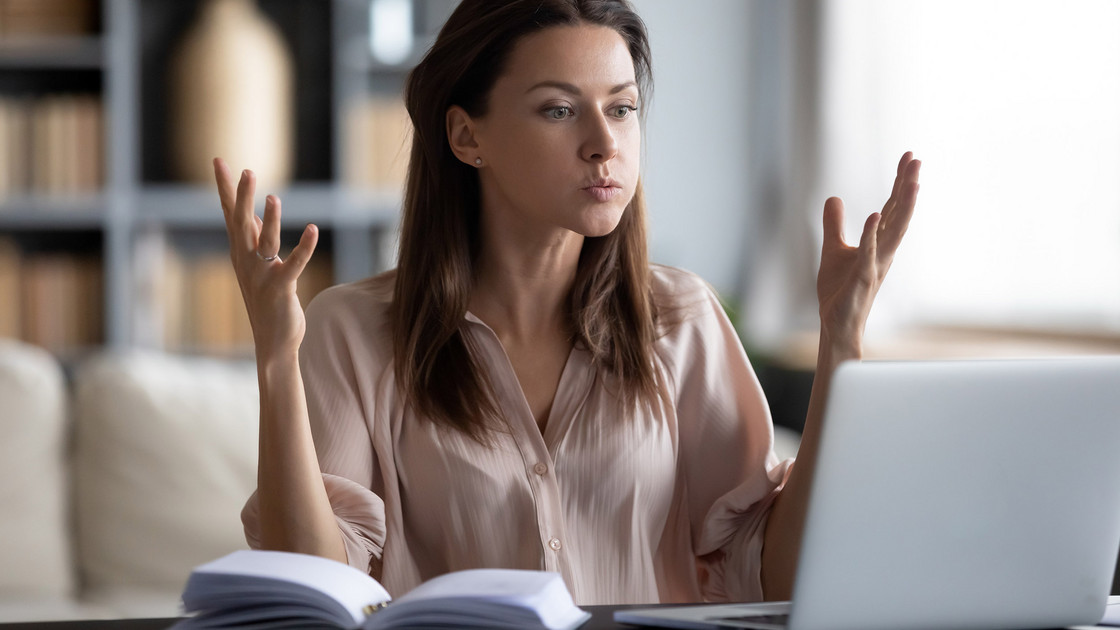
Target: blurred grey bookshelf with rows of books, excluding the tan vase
<point x="105" y="246"/>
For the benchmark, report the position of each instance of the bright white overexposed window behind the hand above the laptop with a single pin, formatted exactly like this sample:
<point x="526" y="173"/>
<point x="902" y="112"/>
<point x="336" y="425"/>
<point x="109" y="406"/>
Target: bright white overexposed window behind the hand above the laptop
<point x="1014" y="108"/>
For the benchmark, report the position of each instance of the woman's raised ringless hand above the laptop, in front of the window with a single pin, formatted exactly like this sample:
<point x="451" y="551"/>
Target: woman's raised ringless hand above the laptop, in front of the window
<point x="851" y="276"/>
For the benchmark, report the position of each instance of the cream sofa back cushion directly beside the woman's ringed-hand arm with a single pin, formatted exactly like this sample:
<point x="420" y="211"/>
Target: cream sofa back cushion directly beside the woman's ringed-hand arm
<point x="165" y="458"/>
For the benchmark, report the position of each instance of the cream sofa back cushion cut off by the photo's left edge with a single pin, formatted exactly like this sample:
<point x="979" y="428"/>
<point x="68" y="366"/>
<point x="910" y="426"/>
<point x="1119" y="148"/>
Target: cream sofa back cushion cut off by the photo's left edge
<point x="35" y="538"/>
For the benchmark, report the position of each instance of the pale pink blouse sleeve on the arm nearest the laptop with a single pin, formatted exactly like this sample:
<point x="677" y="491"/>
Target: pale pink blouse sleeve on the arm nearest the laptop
<point x="727" y="460"/>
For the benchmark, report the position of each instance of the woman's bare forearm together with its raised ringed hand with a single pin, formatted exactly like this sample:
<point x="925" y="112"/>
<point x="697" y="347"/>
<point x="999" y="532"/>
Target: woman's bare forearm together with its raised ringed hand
<point x="295" y="514"/>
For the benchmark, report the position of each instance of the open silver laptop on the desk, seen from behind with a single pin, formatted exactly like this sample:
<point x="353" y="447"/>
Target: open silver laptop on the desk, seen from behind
<point x="954" y="495"/>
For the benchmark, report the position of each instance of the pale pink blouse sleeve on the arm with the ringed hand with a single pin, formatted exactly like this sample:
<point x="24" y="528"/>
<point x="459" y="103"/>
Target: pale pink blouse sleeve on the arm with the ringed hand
<point x="342" y="439"/>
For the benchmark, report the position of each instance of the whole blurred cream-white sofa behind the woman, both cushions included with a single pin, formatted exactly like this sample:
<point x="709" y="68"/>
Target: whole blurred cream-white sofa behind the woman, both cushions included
<point x="118" y="479"/>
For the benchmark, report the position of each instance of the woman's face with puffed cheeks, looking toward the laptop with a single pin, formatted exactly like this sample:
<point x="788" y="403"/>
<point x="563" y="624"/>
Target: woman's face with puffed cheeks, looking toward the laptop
<point x="562" y="138"/>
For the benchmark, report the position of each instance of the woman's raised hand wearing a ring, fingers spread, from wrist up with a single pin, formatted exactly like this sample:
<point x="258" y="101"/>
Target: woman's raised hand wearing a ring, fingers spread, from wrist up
<point x="268" y="284"/>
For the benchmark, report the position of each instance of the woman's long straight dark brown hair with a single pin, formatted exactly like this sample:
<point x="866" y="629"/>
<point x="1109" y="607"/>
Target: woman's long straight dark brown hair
<point x="611" y="310"/>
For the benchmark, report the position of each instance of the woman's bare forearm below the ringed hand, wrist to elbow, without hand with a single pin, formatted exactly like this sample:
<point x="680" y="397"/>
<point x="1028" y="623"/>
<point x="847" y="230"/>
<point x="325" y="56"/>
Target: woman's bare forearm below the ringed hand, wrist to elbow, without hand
<point x="296" y="515"/>
